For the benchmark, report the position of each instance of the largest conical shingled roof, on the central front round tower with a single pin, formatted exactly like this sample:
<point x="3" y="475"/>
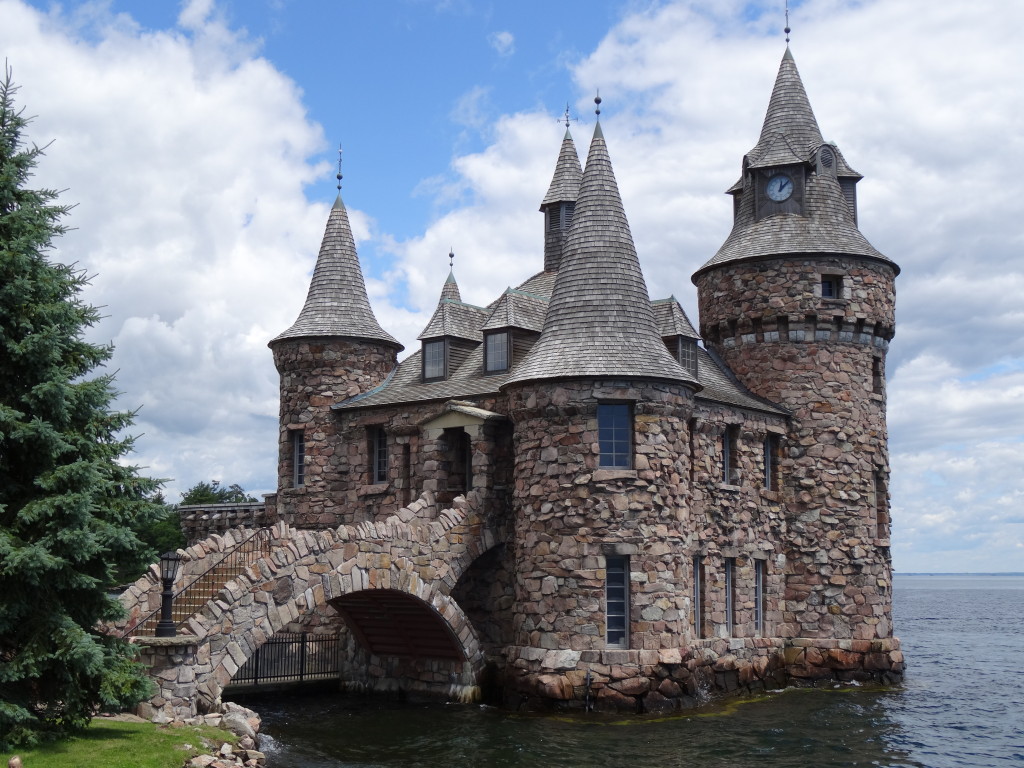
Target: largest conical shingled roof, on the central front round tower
<point x="600" y="322"/>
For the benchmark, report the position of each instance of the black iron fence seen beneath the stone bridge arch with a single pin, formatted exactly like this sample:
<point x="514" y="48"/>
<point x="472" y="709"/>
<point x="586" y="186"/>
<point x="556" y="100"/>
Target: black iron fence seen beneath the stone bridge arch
<point x="292" y="658"/>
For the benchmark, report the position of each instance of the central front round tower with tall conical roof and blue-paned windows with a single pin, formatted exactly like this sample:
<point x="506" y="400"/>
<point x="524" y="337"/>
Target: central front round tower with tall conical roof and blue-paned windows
<point x="600" y="410"/>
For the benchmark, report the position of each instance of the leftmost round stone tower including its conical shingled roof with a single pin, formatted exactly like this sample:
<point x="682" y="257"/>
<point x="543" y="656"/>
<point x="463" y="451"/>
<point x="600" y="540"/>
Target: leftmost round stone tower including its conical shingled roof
<point x="335" y="350"/>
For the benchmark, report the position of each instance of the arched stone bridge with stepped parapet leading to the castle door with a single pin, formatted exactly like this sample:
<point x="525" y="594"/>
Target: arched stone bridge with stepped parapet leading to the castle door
<point x="392" y="581"/>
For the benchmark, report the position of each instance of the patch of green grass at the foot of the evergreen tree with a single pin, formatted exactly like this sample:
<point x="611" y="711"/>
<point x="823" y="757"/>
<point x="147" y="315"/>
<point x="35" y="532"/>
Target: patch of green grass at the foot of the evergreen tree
<point x="109" y="744"/>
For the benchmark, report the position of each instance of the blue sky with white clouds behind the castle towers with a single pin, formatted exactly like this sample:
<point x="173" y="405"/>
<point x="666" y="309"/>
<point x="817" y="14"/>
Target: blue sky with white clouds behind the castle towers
<point x="199" y="142"/>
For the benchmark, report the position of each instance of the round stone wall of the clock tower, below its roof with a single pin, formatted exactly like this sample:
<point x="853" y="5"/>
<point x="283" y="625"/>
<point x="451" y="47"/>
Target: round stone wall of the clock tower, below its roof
<point x="825" y="361"/>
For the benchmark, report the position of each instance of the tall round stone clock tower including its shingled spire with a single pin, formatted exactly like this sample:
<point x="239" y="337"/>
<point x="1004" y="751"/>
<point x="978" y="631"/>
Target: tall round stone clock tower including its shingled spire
<point x="801" y="308"/>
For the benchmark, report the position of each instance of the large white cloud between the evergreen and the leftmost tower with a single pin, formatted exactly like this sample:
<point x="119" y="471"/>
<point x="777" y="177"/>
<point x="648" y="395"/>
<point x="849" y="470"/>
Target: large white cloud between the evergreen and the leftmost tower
<point x="187" y="157"/>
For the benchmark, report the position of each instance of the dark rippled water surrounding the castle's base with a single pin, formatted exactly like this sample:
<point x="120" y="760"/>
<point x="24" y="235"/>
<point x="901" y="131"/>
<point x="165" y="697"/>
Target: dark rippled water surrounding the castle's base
<point x="962" y="706"/>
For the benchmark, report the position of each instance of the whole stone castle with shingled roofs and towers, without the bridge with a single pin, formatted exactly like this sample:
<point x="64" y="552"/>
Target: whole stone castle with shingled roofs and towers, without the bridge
<point x="681" y="508"/>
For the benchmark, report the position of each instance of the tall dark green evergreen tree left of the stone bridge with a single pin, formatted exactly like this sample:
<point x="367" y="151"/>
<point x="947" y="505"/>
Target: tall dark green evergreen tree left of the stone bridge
<point x="67" y="502"/>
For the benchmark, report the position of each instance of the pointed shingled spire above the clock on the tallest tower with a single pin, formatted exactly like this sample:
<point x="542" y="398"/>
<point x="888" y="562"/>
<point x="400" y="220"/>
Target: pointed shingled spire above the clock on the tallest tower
<point x="789" y="114"/>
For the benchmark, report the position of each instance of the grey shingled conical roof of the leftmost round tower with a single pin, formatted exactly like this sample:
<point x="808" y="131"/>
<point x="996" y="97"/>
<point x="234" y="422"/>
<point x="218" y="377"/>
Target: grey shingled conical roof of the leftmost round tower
<point x="337" y="303"/>
